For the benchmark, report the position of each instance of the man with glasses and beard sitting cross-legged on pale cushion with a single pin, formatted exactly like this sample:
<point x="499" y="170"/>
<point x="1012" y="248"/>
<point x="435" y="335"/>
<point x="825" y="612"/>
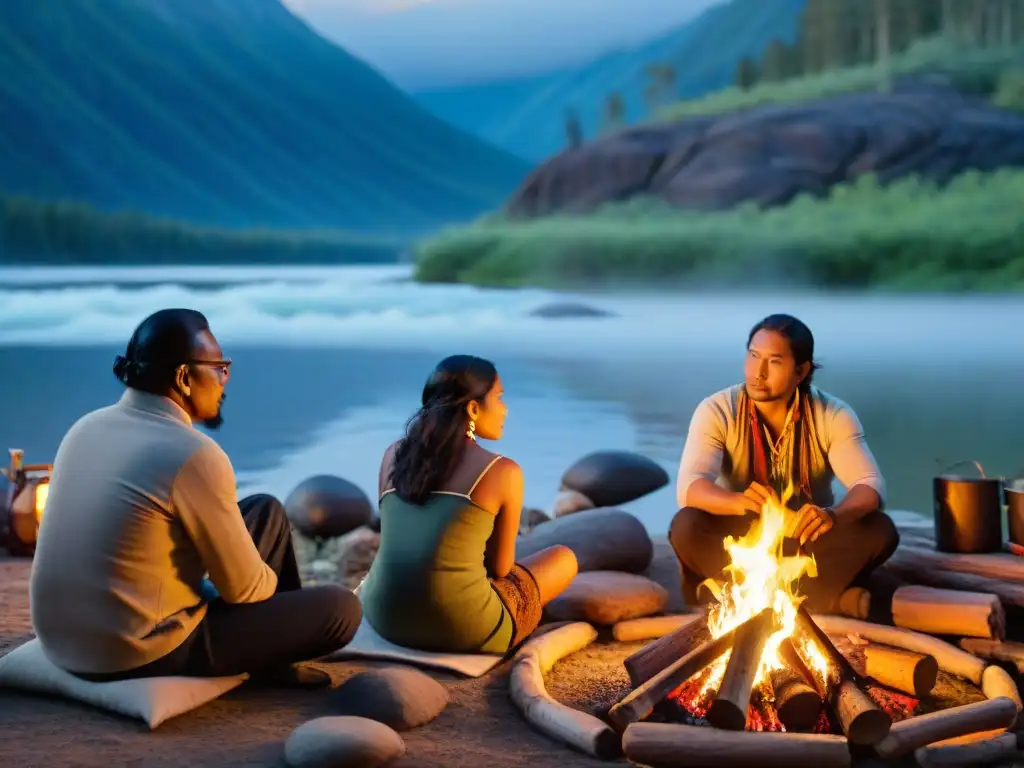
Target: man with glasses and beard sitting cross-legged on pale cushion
<point x="143" y="507"/>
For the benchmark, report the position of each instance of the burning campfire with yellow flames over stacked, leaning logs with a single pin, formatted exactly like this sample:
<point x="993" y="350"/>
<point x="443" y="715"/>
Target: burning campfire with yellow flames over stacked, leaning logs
<point x="756" y="660"/>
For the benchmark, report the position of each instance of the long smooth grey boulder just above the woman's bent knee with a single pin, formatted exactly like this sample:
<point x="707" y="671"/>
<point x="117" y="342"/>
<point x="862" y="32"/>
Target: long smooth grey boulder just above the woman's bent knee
<point x="602" y="540"/>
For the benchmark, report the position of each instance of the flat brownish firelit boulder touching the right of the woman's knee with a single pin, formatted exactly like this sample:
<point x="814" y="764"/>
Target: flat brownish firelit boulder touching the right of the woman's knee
<point x="608" y="598"/>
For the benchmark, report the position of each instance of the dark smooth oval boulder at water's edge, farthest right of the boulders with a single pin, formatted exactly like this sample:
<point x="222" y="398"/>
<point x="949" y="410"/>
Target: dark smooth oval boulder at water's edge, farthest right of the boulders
<point x="610" y="479"/>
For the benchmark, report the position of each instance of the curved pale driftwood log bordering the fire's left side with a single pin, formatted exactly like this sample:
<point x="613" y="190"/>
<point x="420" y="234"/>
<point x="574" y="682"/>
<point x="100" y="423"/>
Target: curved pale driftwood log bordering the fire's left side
<point x="578" y="730"/>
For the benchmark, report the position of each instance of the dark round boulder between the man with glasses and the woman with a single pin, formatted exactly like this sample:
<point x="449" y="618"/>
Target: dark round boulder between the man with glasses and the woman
<point x="325" y="507"/>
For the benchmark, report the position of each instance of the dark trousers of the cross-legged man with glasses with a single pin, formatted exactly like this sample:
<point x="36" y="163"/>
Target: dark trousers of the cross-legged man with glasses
<point x="293" y="625"/>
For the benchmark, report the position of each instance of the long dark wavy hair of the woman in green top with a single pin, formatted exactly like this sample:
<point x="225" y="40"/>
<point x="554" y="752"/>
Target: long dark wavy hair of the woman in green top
<point x="436" y="437"/>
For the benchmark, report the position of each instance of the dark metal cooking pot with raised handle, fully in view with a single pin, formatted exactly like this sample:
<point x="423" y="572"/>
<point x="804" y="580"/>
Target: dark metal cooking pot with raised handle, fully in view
<point x="968" y="513"/>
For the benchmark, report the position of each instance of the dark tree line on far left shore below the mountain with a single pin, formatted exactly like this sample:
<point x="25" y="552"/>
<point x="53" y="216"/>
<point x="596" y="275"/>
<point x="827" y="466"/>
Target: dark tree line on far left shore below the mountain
<point x="37" y="233"/>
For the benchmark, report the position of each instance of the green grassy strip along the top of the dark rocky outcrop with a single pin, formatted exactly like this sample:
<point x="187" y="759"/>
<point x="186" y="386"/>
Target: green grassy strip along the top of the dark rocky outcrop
<point x="976" y="71"/>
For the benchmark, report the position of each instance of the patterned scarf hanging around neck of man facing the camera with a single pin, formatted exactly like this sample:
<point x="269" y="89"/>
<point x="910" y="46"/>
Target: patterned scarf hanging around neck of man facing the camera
<point x="790" y="459"/>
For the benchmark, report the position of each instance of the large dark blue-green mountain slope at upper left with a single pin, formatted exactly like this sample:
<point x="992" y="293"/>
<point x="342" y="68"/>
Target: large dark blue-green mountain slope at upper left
<point x="229" y="113"/>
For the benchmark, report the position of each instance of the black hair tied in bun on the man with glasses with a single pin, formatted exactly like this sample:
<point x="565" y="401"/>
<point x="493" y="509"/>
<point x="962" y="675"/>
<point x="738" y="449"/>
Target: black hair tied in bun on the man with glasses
<point x="161" y="344"/>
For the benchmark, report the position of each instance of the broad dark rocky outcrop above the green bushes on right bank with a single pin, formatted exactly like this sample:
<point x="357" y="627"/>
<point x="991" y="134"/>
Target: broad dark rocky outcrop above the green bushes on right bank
<point x="771" y="155"/>
